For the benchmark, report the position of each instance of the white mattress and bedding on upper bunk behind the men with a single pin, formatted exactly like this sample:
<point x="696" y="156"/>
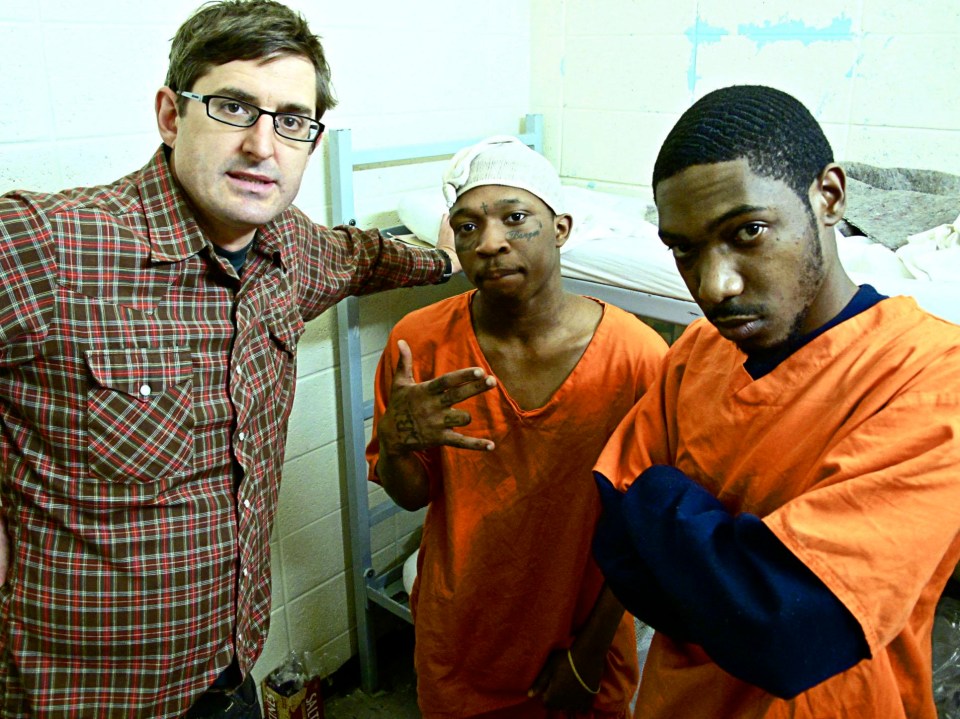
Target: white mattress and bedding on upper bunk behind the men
<point x="611" y="244"/>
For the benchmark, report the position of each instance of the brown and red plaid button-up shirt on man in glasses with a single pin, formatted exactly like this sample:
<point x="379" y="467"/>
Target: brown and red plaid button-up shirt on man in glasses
<point x="135" y="367"/>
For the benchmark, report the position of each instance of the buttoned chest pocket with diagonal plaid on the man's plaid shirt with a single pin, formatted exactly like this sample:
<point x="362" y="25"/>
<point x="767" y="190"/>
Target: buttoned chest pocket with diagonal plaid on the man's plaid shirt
<point x="140" y="416"/>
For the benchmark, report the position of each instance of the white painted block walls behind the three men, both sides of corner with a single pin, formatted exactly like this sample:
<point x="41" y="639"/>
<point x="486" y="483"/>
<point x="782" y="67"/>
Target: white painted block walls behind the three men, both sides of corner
<point x="611" y="77"/>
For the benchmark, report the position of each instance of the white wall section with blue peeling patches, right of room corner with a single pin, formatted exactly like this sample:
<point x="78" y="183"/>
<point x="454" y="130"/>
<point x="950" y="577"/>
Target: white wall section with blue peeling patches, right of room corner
<point x="877" y="73"/>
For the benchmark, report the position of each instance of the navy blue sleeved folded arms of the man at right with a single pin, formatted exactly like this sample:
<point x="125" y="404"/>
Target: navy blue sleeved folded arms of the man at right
<point x="681" y="562"/>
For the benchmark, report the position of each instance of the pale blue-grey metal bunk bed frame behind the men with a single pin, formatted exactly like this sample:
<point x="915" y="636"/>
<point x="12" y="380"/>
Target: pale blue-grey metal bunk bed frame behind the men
<point x="376" y="592"/>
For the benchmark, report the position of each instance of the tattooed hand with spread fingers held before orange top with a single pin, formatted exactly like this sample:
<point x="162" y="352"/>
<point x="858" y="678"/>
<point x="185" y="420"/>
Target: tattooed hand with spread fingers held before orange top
<point x="422" y="414"/>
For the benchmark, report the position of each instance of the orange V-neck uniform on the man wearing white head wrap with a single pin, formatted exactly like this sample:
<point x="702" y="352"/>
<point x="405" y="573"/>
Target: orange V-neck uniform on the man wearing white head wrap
<point x="505" y="572"/>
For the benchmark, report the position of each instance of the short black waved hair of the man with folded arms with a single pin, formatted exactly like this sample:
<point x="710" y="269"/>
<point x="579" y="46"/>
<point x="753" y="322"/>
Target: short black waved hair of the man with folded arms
<point x="772" y="130"/>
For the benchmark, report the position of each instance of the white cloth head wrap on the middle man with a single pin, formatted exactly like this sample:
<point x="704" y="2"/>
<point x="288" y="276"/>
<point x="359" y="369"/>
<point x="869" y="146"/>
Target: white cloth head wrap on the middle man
<point x="502" y="160"/>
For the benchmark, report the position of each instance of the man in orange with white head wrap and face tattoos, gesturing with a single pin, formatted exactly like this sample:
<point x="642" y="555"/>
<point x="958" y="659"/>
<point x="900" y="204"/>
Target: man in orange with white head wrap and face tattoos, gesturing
<point x="511" y="616"/>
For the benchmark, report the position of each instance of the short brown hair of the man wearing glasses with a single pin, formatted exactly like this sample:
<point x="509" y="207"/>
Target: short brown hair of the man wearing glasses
<point x="227" y="30"/>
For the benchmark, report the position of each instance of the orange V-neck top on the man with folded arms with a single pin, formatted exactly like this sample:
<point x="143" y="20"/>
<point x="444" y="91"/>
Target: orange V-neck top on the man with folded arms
<point x="850" y="452"/>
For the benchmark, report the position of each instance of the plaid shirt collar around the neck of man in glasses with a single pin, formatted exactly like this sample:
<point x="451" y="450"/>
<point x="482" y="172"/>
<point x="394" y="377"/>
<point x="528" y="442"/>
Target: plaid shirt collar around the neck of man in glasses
<point x="172" y="225"/>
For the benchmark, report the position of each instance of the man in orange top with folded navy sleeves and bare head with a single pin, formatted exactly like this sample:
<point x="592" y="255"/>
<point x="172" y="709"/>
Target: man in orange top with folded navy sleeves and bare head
<point x="783" y="505"/>
